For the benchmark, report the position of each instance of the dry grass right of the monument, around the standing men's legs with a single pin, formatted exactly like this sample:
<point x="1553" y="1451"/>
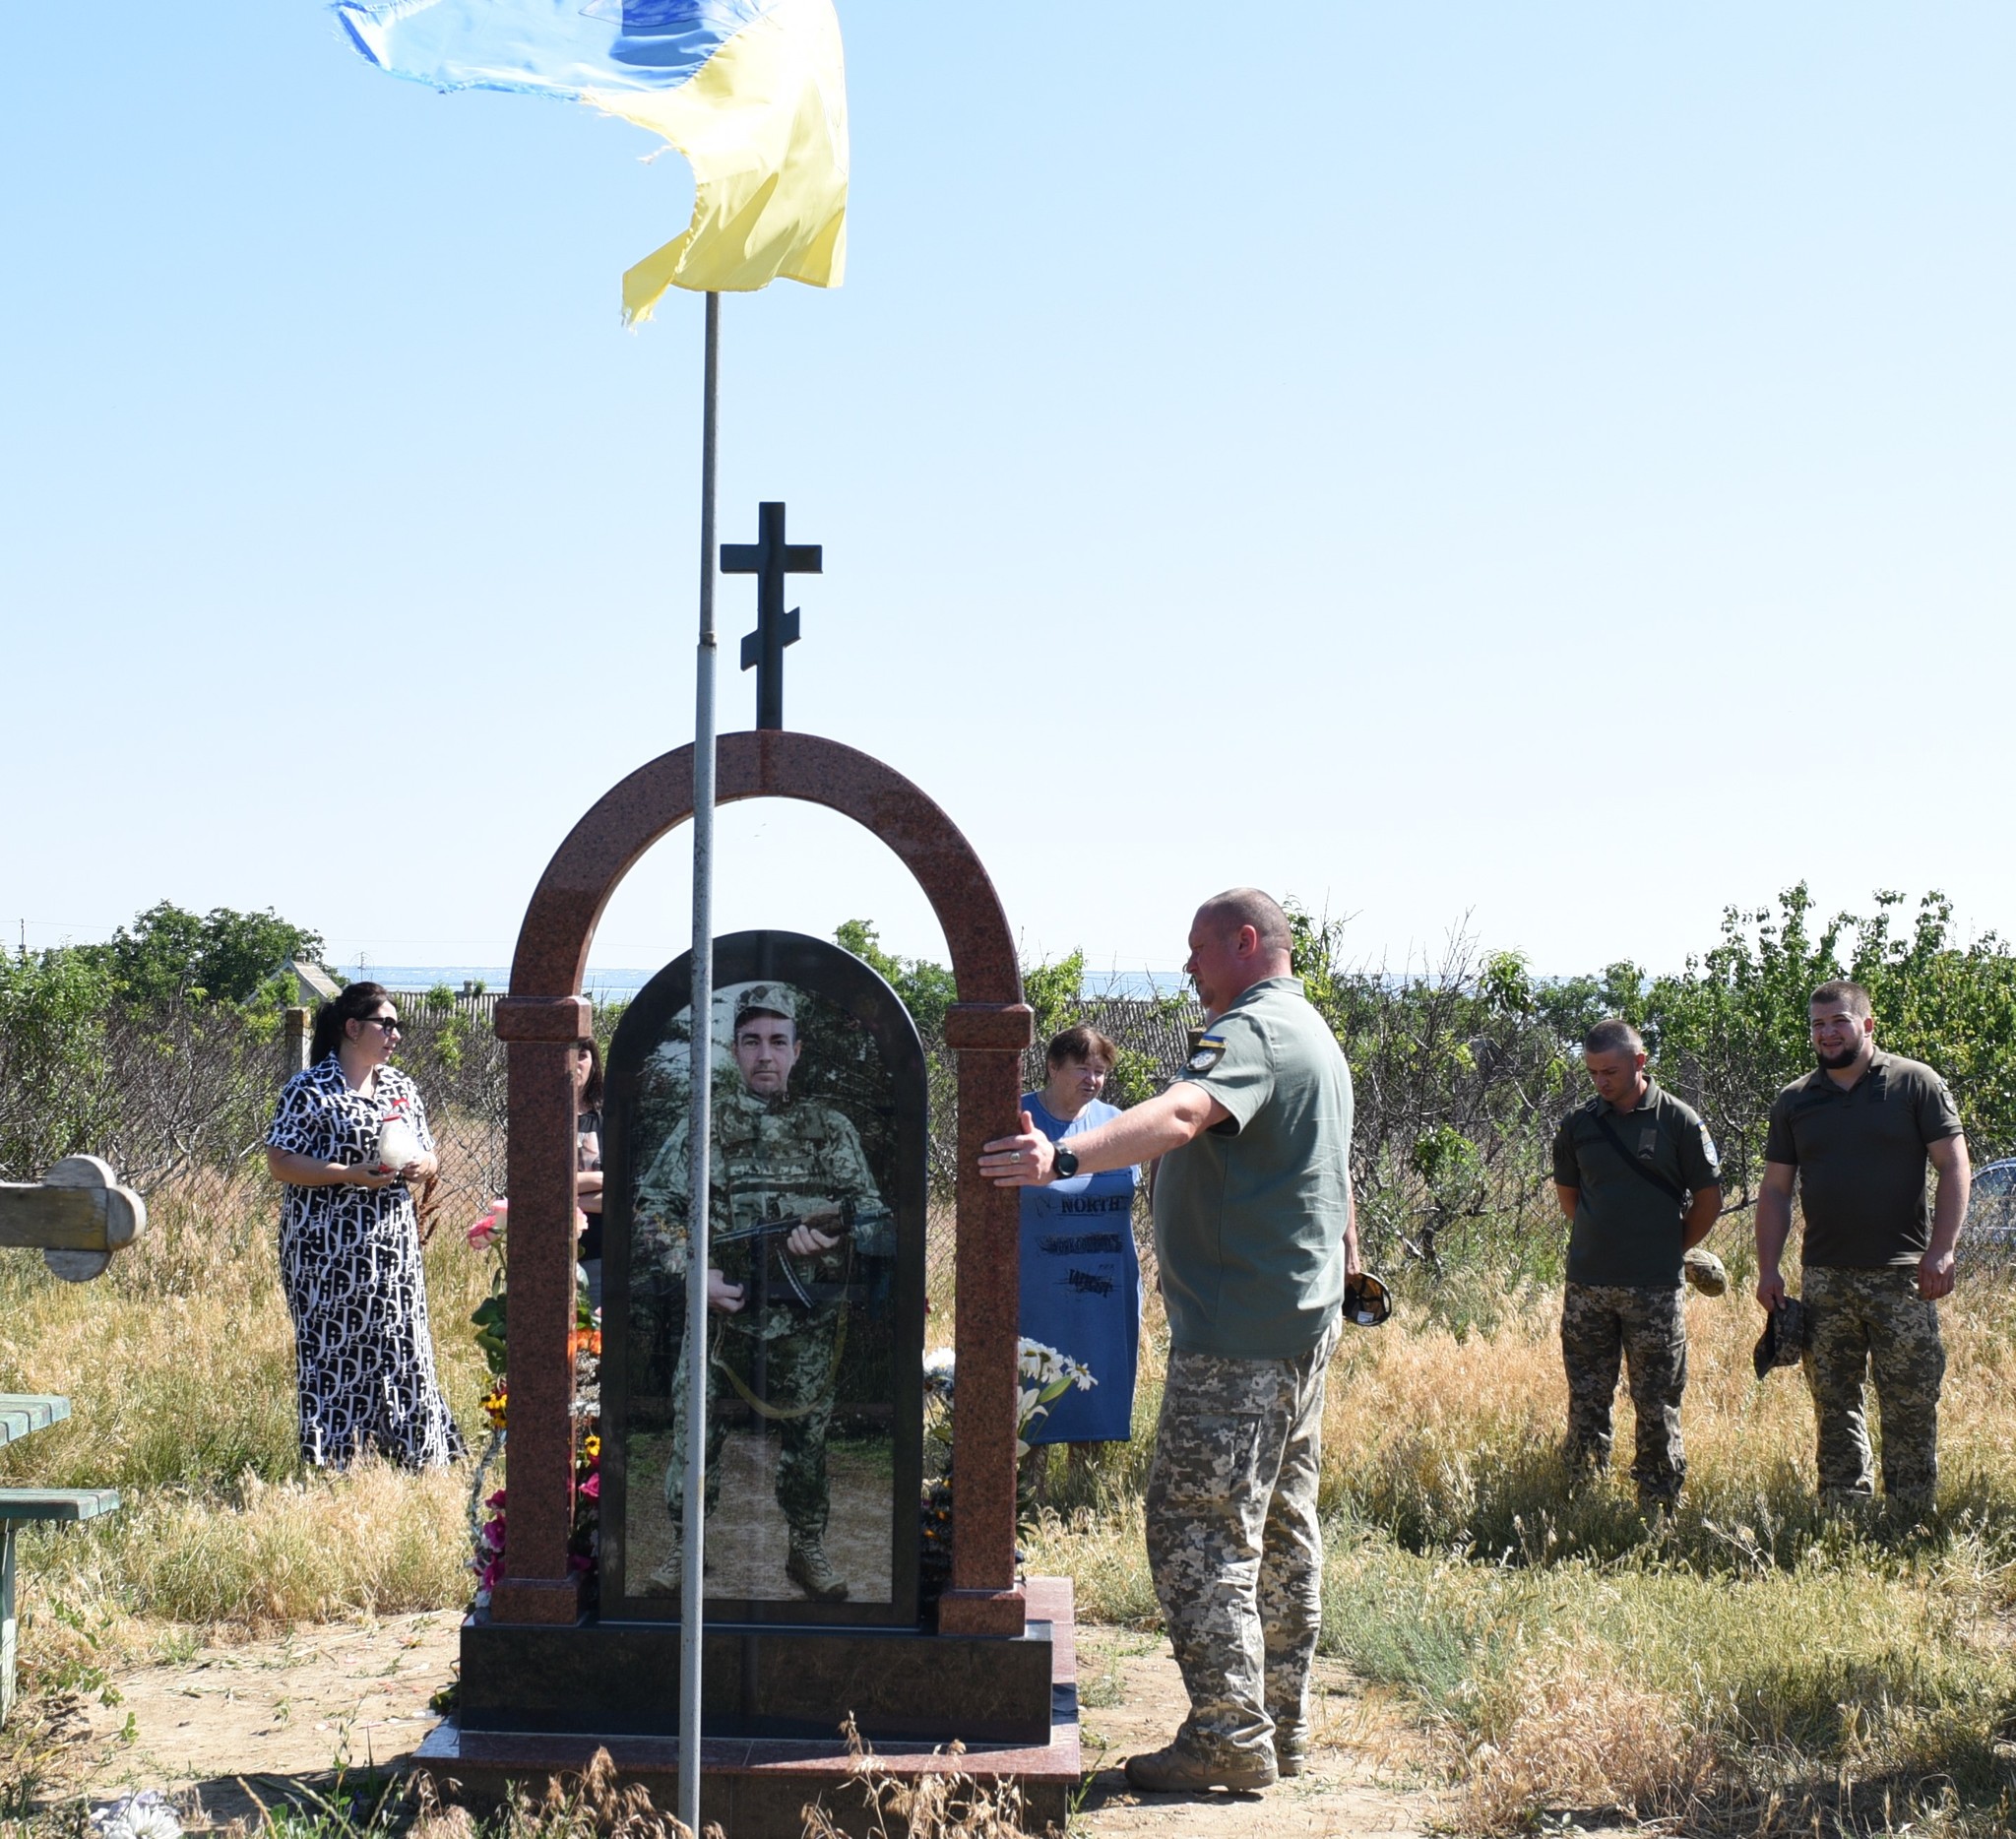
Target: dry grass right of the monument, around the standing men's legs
<point x="1751" y="1667"/>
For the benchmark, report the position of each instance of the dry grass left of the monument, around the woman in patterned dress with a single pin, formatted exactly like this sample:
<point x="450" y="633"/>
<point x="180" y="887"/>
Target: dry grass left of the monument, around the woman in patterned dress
<point x="180" y="1374"/>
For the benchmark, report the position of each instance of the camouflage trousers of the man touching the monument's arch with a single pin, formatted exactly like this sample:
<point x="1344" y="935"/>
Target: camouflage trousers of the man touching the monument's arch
<point x="1233" y="1542"/>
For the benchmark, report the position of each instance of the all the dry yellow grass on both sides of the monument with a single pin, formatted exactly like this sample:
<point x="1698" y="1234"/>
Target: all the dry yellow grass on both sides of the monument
<point x="1749" y="1667"/>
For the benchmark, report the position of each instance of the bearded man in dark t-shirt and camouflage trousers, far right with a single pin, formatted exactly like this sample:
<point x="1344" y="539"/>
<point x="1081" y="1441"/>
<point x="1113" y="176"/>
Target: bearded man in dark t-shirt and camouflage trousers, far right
<point x="1856" y="1136"/>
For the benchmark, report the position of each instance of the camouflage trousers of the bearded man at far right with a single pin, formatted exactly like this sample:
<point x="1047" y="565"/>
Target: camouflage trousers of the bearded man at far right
<point x="1862" y="1320"/>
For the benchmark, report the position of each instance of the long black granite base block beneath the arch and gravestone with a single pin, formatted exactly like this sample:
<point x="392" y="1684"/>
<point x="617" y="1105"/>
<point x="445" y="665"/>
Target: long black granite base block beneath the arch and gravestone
<point x="761" y="1683"/>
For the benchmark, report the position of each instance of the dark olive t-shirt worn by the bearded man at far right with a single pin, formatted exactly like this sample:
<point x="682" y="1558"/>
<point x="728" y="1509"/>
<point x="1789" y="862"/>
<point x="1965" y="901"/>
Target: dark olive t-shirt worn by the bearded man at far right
<point x="1862" y="1160"/>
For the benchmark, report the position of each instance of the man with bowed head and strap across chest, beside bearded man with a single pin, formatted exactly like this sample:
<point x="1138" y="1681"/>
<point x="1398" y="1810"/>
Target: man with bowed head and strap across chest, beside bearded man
<point x="1638" y="1177"/>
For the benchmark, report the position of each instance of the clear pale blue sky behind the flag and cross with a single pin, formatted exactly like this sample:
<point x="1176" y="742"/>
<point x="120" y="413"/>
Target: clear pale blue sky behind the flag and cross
<point x="1541" y="465"/>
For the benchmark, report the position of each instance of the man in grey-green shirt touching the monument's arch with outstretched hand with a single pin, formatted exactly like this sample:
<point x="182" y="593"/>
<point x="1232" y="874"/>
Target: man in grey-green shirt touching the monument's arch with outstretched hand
<point x="1255" y="1233"/>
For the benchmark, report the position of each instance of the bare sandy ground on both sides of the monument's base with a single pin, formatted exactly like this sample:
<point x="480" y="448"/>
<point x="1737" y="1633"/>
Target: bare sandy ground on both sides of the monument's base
<point x="271" y="1719"/>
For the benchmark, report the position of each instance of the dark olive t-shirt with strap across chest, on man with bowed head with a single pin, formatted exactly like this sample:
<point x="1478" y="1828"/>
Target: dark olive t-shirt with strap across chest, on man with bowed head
<point x="1628" y="1231"/>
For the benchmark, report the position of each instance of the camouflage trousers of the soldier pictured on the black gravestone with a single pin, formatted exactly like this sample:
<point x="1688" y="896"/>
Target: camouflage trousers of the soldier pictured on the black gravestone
<point x="793" y="1376"/>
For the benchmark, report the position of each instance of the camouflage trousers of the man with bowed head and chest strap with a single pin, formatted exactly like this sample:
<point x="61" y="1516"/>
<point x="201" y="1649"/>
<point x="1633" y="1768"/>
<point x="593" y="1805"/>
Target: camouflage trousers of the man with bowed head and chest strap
<point x="1646" y="1332"/>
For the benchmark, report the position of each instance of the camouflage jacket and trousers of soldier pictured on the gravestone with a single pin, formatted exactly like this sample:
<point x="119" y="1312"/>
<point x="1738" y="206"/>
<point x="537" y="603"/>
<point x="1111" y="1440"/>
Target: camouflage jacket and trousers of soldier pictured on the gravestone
<point x="771" y="1160"/>
